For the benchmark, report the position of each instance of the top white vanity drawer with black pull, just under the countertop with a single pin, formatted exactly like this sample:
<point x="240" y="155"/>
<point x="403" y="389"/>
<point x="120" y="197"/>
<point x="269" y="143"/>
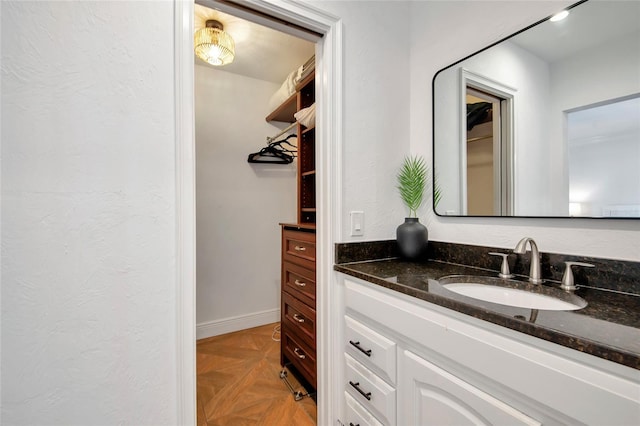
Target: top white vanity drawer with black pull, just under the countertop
<point x="371" y="349"/>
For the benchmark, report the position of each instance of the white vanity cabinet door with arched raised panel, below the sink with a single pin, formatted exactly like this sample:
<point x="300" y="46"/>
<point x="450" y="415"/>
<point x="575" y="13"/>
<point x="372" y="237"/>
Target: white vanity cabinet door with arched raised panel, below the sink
<point x="429" y="395"/>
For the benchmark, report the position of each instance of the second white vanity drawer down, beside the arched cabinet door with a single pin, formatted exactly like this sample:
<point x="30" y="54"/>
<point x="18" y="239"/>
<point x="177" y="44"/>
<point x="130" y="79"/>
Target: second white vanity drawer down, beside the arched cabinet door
<point x="371" y="391"/>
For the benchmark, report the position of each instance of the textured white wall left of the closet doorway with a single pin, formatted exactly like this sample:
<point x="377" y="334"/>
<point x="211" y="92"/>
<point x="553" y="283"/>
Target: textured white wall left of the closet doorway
<point x="88" y="224"/>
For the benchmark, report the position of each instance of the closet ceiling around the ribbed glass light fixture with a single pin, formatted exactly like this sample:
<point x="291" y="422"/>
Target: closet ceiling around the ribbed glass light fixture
<point x="261" y="52"/>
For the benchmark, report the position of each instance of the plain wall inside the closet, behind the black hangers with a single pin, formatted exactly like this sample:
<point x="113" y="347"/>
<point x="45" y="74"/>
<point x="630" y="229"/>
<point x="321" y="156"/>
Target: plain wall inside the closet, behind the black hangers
<point x="238" y="204"/>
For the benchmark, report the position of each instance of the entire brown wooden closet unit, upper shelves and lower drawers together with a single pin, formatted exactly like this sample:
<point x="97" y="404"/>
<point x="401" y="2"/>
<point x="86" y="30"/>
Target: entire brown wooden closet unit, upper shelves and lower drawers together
<point x="298" y="286"/>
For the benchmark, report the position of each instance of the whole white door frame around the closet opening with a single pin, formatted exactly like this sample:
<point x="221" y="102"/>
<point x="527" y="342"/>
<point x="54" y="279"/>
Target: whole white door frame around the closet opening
<point x="329" y="195"/>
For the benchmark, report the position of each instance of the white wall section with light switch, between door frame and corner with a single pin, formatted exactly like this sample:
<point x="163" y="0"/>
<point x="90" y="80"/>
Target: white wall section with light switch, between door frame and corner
<point x="376" y="112"/>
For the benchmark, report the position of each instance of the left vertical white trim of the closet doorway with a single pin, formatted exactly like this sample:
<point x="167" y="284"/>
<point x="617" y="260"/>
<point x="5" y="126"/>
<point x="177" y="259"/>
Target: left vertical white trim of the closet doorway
<point x="185" y="187"/>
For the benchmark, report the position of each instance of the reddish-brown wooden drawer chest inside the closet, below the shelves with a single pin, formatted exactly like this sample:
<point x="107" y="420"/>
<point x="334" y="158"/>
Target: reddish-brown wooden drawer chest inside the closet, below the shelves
<point x="298" y="302"/>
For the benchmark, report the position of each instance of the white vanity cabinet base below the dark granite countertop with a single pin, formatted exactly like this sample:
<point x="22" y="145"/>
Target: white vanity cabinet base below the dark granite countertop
<point x="422" y="364"/>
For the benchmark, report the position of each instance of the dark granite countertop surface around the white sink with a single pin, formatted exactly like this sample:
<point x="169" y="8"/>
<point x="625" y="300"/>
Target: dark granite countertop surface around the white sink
<point x="608" y="327"/>
